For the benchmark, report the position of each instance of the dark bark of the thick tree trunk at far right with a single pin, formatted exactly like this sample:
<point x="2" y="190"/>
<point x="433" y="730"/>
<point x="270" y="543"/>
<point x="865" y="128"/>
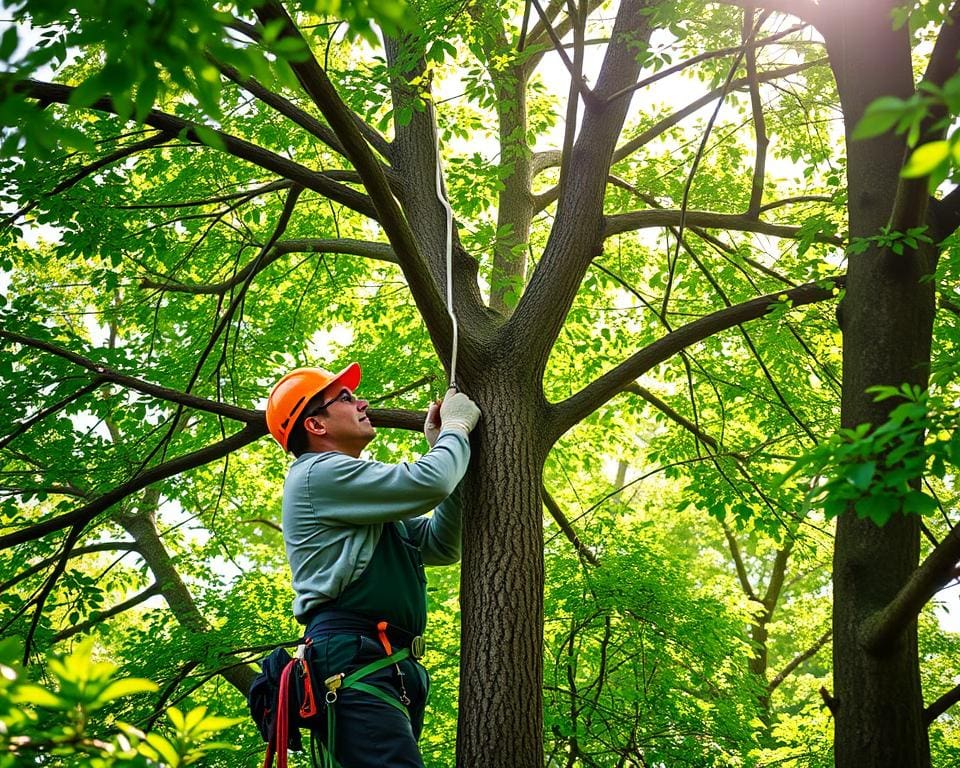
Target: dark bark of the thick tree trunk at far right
<point x="886" y="319"/>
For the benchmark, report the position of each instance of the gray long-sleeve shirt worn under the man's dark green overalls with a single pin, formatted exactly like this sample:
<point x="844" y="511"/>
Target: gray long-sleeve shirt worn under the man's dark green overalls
<point x="334" y="508"/>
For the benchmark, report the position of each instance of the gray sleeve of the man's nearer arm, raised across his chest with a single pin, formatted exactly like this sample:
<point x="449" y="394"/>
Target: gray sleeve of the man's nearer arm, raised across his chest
<point x="352" y="491"/>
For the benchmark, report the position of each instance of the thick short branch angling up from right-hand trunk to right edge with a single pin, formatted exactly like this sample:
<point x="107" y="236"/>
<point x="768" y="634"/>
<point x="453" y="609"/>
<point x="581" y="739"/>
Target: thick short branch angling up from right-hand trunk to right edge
<point x="884" y="627"/>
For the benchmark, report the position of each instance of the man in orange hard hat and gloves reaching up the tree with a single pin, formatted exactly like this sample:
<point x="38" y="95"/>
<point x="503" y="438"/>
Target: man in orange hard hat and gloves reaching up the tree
<point x="357" y="539"/>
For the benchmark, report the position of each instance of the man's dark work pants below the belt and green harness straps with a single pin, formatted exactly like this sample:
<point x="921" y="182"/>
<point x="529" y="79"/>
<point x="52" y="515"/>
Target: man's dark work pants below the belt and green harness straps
<point x="369" y="732"/>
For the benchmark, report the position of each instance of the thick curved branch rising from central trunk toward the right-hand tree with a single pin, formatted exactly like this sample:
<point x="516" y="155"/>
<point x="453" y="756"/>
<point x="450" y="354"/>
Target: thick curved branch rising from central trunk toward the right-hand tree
<point x="561" y="416"/>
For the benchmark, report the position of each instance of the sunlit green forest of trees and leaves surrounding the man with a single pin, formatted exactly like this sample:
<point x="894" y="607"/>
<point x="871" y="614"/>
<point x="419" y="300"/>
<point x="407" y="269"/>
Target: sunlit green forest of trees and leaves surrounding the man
<point x="681" y="547"/>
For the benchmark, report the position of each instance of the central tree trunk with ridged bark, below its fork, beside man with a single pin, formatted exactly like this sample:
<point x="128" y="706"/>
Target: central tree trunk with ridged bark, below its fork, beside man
<point x="501" y="663"/>
